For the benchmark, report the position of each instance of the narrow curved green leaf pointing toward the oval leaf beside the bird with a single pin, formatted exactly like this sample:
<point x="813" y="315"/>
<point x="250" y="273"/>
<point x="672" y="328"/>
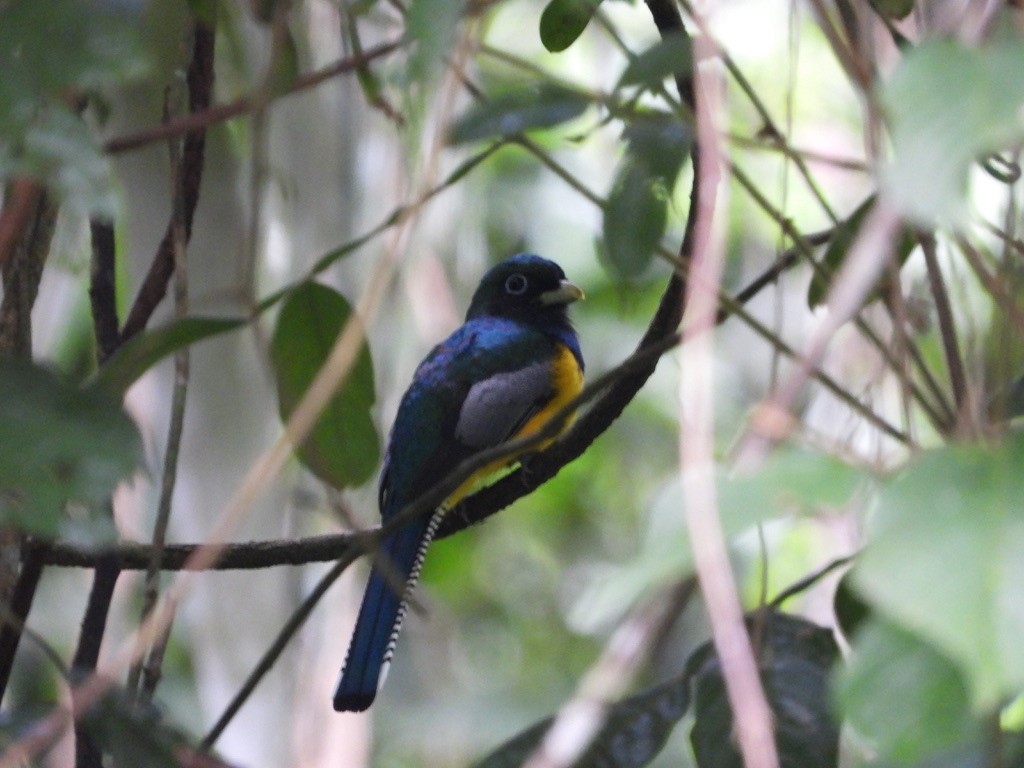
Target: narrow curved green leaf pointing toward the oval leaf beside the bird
<point x="143" y="352"/>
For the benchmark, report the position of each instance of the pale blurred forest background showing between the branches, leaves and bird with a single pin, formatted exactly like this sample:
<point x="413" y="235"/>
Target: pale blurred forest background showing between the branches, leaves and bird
<point x="516" y="610"/>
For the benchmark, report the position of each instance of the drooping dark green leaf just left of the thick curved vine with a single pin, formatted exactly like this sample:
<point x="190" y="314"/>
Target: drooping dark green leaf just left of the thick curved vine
<point x="636" y="214"/>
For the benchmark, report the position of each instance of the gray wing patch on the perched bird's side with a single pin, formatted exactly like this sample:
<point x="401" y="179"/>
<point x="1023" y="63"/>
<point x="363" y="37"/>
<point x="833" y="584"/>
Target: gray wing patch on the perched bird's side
<point x="499" y="406"/>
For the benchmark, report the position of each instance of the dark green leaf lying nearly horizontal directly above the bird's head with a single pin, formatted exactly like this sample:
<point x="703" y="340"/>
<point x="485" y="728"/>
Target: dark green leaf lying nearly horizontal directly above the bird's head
<point x="519" y="112"/>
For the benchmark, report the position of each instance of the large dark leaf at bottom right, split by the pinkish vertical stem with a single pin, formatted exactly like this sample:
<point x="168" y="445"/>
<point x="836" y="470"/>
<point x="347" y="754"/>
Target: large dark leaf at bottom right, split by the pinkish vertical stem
<point x="796" y="658"/>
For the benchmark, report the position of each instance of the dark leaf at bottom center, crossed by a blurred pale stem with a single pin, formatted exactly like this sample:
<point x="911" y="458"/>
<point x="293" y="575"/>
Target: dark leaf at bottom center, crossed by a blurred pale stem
<point x="633" y="735"/>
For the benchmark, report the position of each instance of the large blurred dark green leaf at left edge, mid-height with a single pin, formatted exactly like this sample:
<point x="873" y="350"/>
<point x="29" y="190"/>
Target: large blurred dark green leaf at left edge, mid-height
<point x="60" y="445"/>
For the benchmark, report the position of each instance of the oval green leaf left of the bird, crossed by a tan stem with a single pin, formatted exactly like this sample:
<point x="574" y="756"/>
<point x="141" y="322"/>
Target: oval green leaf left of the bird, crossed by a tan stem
<point x="344" y="448"/>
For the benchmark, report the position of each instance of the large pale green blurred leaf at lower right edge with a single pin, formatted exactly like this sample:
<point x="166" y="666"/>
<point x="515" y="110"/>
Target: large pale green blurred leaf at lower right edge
<point x="946" y="561"/>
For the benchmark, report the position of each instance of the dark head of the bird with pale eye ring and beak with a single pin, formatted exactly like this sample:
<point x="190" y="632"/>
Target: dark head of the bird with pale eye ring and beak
<point x="525" y="287"/>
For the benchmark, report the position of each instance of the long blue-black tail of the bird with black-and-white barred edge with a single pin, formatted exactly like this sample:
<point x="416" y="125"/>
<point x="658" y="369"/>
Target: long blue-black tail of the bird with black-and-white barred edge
<point x="380" y="617"/>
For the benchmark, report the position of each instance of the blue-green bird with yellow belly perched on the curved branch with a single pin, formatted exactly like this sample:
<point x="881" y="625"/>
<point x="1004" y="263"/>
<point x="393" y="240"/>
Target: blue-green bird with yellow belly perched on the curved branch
<point x="515" y="363"/>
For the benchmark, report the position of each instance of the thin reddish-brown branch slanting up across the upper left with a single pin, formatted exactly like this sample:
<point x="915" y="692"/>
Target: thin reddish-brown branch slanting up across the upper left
<point x="200" y="120"/>
